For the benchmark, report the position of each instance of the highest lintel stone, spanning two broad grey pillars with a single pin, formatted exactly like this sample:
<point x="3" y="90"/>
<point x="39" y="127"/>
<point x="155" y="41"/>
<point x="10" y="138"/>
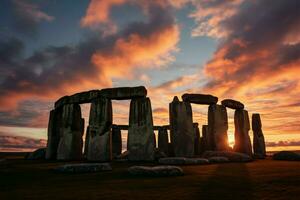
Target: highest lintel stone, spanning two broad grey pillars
<point x="123" y="93"/>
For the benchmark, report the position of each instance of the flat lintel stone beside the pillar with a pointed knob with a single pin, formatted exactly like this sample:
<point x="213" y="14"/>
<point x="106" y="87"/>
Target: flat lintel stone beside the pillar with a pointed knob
<point x="205" y="99"/>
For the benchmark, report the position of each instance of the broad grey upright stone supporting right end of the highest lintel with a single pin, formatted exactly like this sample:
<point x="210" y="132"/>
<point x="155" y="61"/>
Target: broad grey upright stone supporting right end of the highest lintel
<point x="140" y="133"/>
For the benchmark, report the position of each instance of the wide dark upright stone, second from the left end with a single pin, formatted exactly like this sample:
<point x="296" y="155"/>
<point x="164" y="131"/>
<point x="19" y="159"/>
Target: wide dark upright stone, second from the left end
<point x="70" y="144"/>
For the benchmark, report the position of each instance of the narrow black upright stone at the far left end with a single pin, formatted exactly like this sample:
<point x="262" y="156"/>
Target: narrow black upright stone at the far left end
<point x="54" y="127"/>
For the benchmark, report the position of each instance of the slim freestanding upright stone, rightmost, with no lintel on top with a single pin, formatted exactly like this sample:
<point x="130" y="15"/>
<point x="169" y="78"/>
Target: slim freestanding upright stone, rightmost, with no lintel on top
<point x="259" y="146"/>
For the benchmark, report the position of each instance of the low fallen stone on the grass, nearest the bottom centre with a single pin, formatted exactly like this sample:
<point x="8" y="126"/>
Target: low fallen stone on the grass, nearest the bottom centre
<point x="155" y="171"/>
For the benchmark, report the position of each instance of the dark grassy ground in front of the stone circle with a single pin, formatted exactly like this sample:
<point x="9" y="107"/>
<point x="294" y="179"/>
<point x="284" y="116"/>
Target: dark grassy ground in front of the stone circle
<point x="261" y="179"/>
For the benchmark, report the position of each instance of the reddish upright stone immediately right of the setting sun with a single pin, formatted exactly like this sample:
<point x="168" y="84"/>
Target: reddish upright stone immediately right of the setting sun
<point x="242" y="140"/>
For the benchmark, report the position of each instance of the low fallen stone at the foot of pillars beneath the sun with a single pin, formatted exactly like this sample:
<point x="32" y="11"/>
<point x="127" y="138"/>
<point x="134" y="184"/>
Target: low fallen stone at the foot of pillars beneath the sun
<point x="232" y="156"/>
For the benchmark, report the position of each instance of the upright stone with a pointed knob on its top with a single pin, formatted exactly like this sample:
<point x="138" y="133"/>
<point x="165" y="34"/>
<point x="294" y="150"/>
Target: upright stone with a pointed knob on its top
<point x="181" y="128"/>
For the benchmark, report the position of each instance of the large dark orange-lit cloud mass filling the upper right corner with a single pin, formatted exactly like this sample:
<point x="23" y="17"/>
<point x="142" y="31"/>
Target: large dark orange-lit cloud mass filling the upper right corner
<point x="268" y="32"/>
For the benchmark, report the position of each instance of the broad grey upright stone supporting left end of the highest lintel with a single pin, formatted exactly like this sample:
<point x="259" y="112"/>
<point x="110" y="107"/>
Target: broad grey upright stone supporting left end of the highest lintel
<point x="99" y="146"/>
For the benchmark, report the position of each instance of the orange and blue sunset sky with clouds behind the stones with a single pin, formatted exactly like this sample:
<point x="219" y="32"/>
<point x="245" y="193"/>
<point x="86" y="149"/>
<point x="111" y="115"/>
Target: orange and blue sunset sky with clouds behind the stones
<point x="248" y="50"/>
